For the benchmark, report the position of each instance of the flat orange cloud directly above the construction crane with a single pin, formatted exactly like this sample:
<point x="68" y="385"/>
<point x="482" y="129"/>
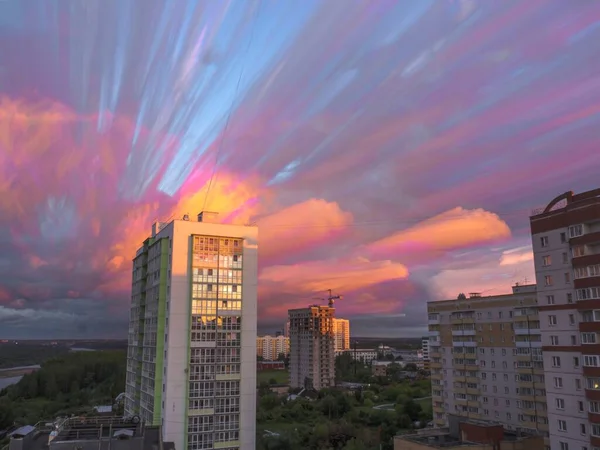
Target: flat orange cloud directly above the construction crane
<point x="338" y="275"/>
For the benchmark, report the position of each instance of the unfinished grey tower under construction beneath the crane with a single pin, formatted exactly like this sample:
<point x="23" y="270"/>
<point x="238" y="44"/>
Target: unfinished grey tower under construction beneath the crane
<point x="312" y="347"/>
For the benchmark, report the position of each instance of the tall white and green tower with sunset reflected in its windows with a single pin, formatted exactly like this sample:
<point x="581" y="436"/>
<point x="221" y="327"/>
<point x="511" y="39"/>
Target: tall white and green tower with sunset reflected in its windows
<point x="191" y="361"/>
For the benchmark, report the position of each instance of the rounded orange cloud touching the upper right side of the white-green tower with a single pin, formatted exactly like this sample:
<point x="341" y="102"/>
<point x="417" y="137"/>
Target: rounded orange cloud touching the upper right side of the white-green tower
<point x="300" y="226"/>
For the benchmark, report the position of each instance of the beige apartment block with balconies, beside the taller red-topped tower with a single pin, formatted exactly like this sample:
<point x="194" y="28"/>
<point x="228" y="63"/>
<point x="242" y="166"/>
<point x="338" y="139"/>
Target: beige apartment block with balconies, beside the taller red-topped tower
<point x="486" y="359"/>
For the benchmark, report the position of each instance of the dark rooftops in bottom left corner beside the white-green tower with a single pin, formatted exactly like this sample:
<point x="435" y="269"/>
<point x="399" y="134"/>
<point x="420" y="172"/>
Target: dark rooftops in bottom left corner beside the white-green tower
<point x="89" y="433"/>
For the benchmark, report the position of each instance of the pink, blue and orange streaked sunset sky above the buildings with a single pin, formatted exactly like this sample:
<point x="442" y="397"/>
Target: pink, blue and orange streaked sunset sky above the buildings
<point x="391" y="151"/>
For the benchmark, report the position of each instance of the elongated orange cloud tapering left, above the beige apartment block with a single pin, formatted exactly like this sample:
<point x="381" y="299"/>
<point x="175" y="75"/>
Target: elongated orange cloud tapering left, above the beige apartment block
<point x="454" y="229"/>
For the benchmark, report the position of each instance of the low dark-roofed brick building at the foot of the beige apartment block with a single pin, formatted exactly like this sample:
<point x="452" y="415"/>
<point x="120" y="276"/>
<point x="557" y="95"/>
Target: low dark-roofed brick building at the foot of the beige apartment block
<point x="469" y="434"/>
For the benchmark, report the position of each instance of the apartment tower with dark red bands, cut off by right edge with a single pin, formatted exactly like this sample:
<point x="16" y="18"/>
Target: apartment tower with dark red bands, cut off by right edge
<point x="566" y="247"/>
